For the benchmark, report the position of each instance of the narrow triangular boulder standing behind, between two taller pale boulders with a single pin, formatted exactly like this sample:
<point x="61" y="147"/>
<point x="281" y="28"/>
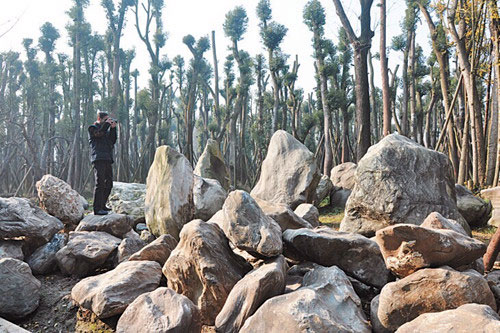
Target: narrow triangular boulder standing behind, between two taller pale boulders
<point x="211" y="164"/>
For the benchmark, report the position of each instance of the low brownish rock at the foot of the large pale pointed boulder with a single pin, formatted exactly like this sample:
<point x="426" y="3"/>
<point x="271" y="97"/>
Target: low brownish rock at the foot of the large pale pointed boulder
<point x="283" y="215"/>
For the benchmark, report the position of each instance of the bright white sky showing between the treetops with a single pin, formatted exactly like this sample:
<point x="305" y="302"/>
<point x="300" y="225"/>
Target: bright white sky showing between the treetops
<point x="198" y="18"/>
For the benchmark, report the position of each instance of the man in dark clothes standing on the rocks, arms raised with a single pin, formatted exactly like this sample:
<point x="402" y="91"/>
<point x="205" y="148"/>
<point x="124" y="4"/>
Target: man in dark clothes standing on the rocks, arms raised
<point x="102" y="137"/>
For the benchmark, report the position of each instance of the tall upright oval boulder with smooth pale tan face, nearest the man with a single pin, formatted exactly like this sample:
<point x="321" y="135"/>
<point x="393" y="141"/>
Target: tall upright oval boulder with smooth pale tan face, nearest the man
<point x="169" y="193"/>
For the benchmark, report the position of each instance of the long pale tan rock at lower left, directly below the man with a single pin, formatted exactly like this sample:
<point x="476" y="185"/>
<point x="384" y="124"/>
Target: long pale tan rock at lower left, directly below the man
<point x="110" y="293"/>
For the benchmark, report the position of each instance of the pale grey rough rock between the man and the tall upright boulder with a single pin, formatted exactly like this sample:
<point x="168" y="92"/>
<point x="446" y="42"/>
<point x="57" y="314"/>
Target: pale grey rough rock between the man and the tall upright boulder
<point x="128" y="199"/>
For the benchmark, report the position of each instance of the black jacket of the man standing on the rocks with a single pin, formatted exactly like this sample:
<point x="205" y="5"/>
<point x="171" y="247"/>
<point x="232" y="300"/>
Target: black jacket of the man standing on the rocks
<point x="102" y="139"/>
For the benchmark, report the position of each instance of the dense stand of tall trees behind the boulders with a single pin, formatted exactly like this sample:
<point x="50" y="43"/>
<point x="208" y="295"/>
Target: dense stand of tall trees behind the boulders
<point x="447" y="100"/>
